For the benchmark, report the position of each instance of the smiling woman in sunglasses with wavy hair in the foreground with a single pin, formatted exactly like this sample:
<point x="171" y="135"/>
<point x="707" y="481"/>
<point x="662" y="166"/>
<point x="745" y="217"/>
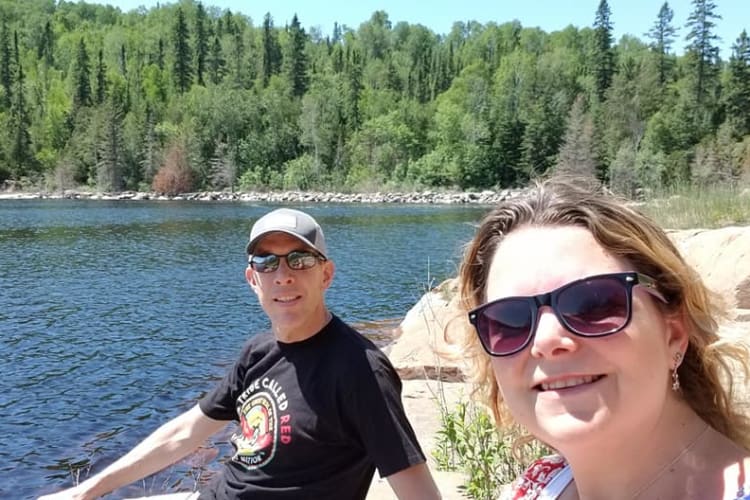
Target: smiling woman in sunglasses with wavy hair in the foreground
<point x="593" y="334"/>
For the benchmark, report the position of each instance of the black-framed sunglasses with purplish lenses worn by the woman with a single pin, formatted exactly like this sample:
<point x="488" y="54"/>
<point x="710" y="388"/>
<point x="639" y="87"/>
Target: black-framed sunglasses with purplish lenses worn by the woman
<point x="595" y="306"/>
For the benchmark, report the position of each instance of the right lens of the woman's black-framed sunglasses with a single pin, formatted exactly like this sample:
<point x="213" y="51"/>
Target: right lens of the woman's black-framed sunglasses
<point x="594" y="307"/>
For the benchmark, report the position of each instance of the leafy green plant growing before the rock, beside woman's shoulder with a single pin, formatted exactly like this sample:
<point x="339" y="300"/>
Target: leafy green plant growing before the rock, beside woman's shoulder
<point x="468" y="441"/>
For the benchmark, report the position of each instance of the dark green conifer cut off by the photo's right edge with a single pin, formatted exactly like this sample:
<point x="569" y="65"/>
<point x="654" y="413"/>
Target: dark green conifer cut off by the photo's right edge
<point x="737" y="91"/>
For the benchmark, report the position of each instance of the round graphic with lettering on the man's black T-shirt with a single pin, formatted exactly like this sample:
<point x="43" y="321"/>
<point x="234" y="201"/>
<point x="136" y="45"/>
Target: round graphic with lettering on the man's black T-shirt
<point x="260" y="424"/>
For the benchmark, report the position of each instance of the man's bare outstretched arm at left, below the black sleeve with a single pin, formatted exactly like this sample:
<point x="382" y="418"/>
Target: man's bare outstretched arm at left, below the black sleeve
<point x="169" y="443"/>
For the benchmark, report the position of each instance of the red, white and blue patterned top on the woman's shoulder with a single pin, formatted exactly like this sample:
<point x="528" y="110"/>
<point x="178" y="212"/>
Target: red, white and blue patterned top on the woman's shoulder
<point x="546" y="478"/>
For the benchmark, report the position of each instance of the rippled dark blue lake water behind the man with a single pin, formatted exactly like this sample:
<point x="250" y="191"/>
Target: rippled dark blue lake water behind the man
<point x="116" y="316"/>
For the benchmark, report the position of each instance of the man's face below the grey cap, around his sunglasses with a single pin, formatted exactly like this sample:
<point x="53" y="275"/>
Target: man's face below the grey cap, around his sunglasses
<point x="294" y="300"/>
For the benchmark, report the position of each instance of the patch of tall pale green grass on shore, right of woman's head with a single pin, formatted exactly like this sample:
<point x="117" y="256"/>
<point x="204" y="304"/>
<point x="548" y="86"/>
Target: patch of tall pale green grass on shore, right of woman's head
<point x="693" y="207"/>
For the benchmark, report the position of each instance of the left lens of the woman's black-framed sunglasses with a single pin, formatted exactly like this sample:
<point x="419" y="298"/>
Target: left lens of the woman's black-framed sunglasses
<point x="505" y="326"/>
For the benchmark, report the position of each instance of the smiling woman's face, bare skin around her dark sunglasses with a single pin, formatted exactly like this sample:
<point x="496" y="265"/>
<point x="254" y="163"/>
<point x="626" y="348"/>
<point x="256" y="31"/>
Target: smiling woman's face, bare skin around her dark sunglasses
<point x="566" y="389"/>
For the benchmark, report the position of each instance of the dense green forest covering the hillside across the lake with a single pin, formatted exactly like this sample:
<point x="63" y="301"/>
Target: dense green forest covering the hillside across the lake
<point x="185" y="97"/>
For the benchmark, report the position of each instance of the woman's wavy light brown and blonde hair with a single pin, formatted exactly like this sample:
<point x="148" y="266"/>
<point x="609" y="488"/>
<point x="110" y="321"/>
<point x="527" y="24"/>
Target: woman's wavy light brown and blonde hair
<point x="706" y="374"/>
